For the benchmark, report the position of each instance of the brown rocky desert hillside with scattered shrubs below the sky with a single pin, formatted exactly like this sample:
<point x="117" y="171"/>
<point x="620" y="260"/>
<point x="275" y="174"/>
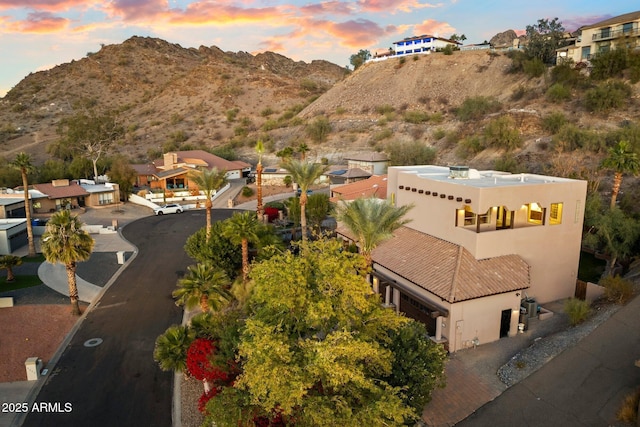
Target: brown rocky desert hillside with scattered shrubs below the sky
<point x="170" y="97"/>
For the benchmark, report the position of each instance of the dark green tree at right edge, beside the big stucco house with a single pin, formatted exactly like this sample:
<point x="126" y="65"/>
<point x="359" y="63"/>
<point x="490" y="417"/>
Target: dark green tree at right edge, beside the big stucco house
<point x="614" y="233"/>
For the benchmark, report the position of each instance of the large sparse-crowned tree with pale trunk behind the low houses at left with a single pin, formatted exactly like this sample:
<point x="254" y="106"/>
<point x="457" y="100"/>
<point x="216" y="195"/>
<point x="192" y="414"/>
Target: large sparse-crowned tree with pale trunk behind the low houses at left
<point x="88" y="135"/>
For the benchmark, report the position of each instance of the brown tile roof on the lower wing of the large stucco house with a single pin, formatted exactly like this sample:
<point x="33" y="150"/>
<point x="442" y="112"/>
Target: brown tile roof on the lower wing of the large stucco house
<point x="449" y="270"/>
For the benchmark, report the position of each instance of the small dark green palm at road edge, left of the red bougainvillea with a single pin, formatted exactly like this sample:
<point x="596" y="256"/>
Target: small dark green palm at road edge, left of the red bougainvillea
<point x="171" y="348"/>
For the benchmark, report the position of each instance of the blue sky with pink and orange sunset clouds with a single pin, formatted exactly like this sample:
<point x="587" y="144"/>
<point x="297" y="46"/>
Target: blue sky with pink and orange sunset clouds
<point x="36" y="35"/>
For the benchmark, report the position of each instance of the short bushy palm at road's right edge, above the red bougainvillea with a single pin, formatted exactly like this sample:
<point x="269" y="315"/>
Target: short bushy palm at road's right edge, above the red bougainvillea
<point x="204" y="284"/>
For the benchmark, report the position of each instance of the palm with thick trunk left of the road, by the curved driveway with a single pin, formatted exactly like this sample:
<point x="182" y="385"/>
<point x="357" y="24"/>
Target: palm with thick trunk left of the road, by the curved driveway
<point x="64" y="241"/>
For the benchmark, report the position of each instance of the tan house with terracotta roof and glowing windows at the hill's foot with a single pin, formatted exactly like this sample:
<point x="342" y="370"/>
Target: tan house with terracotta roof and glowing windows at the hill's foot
<point x="171" y="172"/>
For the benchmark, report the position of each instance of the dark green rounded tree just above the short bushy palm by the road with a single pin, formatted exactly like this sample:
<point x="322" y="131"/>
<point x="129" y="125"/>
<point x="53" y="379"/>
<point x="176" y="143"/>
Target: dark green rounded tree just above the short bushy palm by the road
<point x="217" y="249"/>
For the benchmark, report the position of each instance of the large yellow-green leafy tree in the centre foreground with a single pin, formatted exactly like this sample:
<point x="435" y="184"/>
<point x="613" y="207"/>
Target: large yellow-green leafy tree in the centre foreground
<point x="315" y="347"/>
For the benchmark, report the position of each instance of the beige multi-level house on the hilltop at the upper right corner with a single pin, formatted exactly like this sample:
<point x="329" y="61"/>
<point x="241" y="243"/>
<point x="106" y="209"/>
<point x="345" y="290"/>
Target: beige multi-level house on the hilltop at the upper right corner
<point x="602" y="37"/>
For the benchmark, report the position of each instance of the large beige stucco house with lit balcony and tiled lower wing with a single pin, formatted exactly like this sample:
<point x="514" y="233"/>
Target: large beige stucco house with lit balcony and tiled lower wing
<point x="478" y="244"/>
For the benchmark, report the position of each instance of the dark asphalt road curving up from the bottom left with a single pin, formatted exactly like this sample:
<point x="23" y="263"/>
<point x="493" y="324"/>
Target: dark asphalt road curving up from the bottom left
<point x="117" y="383"/>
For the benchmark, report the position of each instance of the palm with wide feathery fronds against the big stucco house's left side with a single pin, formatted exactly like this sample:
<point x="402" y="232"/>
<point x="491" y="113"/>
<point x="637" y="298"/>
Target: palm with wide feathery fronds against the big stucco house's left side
<point x="371" y="221"/>
